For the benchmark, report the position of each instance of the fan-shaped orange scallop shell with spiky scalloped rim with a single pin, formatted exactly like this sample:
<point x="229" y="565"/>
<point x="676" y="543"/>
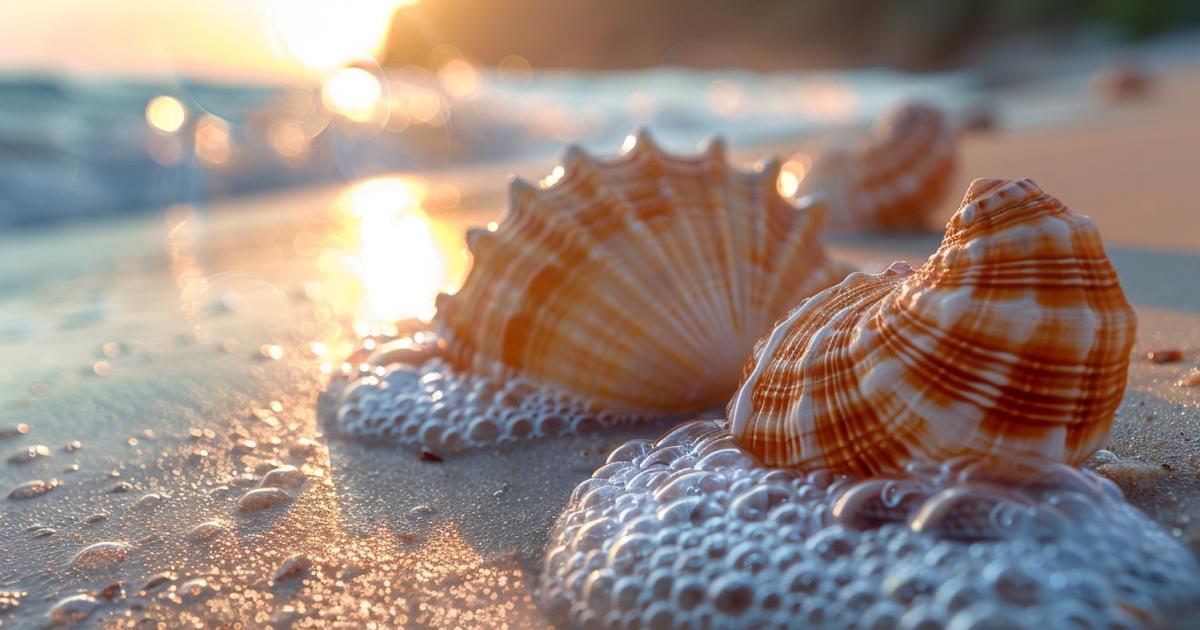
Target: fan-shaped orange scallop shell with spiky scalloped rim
<point x="639" y="284"/>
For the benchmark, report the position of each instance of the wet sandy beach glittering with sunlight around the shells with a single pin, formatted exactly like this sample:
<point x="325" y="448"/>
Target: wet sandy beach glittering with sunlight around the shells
<point x="392" y="538"/>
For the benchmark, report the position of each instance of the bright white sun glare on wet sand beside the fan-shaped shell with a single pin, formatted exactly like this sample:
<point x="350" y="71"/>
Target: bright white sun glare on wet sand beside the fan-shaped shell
<point x="404" y="259"/>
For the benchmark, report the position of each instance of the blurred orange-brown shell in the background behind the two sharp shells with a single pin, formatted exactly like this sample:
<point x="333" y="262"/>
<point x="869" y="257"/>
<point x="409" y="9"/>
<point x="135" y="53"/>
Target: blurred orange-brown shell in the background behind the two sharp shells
<point x="890" y="181"/>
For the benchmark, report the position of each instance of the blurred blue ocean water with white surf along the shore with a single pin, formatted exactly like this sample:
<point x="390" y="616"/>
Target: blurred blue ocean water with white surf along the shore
<point x="75" y="148"/>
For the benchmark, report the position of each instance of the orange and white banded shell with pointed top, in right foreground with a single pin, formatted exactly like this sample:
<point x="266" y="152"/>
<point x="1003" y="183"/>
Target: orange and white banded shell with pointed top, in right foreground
<point x="1013" y="339"/>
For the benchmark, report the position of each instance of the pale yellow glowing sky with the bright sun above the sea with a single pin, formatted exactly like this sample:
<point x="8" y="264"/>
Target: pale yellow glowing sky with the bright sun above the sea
<point x="232" y="40"/>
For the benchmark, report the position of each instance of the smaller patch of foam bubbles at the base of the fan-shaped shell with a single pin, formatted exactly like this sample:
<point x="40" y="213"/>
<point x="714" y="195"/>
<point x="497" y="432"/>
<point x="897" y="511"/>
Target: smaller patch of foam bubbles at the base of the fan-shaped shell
<point x="424" y="401"/>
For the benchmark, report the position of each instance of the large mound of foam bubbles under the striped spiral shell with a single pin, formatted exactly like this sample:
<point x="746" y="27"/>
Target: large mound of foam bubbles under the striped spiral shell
<point x="692" y="532"/>
